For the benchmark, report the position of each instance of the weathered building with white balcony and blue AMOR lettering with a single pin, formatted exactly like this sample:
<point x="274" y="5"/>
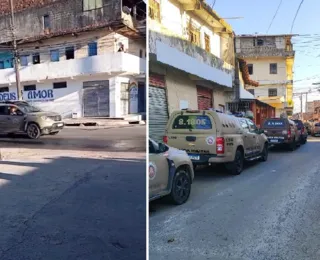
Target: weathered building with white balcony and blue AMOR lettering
<point x="82" y="58"/>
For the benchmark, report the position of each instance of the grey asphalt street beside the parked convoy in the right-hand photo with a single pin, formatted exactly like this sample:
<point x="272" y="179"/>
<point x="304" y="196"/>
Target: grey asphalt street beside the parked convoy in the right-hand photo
<point x="270" y="211"/>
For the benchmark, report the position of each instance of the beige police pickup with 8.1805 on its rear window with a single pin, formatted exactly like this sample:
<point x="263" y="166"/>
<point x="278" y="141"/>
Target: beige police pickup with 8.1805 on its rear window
<point x="210" y="137"/>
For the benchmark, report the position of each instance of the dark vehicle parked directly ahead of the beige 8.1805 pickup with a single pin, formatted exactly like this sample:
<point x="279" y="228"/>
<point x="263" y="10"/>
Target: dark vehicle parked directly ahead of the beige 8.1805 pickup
<point x="282" y="131"/>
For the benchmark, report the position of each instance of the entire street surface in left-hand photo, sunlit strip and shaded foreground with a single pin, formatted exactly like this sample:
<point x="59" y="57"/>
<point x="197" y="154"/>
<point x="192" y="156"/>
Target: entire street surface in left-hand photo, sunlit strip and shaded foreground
<point x="58" y="205"/>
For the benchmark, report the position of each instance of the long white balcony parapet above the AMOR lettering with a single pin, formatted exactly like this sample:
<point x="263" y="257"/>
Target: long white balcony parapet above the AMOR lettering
<point x="112" y="64"/>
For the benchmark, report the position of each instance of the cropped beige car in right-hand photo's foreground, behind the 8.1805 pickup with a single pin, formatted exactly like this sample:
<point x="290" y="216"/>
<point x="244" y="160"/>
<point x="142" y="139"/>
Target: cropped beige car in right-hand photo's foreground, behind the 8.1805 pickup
<point x="170" y="173"/>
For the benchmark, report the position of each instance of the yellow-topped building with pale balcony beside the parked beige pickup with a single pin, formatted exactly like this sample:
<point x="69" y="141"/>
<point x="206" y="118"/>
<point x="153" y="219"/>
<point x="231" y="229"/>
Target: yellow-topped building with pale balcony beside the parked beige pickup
<point x="191" y="59"/>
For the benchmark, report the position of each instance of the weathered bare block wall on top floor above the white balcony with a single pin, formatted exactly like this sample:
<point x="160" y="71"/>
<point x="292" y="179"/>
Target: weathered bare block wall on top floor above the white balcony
<point x="65" y="17"/>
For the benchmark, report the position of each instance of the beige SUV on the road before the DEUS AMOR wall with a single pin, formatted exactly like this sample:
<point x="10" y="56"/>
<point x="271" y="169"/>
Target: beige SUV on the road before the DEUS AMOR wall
<point x="21" y="117"/>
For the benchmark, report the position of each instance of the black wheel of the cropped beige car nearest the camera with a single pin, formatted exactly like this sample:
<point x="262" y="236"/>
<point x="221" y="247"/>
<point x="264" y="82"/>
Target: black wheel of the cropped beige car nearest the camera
<point x="181" y="187"/>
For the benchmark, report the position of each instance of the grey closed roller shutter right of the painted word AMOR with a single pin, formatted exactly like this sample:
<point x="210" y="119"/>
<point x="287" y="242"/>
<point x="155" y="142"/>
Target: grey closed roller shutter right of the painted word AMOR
<point x="96" y="99"/>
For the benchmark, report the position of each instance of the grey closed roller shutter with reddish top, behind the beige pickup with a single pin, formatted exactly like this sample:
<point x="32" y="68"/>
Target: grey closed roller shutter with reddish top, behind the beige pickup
<point x="158" y="107"/>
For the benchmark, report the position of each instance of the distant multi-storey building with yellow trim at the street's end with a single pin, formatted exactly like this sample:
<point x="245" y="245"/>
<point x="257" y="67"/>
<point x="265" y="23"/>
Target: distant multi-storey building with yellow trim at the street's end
<point x="270" y="61"/>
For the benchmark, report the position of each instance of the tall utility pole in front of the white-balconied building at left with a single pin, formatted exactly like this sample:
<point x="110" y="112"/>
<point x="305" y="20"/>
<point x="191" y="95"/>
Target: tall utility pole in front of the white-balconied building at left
<point x="16" y="54"/>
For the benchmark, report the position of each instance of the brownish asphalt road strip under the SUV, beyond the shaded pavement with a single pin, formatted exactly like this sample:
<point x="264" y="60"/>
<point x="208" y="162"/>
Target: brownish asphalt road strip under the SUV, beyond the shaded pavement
<point x="123" y="139"/>
